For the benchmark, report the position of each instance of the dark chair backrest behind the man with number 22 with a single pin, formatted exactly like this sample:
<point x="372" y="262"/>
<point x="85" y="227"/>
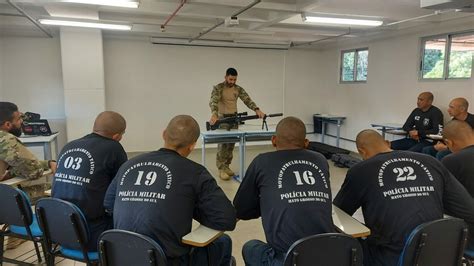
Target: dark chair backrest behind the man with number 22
<point x="440" y="242"/>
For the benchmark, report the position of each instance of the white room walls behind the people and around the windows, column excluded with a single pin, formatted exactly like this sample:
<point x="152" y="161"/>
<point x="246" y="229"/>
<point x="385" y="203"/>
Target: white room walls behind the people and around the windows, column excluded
<point x="149" y="83"/>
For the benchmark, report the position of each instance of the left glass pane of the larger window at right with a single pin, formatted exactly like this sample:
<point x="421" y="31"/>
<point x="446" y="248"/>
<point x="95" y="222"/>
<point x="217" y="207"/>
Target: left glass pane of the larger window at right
<point x="433" y="58"/>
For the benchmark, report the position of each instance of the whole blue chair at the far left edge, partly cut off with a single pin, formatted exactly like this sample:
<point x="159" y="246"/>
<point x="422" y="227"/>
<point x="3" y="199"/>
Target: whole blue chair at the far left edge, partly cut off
<point x="18" y="219"/>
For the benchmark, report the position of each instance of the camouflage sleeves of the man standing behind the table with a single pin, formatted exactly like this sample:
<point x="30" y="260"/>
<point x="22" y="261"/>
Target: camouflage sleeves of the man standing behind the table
<point x="216" y="99"/>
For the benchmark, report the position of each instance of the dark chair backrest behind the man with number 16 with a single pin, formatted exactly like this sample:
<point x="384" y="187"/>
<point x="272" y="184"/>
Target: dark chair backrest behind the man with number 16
<point x="325" y="249"/>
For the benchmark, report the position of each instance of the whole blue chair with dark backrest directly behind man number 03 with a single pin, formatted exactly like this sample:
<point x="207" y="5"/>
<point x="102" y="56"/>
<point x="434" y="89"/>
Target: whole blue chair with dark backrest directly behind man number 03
<point x="66" y="232"/>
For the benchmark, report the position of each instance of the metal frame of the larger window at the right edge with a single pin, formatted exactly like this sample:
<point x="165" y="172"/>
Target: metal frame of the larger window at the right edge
<point x="447" y="51"/>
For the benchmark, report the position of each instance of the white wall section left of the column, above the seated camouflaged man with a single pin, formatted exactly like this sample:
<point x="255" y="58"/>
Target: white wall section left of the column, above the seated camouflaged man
<point x="31" y="77"/>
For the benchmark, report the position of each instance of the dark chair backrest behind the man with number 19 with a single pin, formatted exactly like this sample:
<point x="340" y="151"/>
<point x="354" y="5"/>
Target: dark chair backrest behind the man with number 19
<point x="123" y="248"/>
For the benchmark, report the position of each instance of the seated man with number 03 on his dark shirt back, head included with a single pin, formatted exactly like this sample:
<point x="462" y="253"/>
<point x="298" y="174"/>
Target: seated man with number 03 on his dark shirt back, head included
<point x="86" y="167"/>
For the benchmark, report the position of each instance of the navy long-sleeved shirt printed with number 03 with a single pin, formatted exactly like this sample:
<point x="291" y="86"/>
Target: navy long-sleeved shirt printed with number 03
<point x="85" y="169"/>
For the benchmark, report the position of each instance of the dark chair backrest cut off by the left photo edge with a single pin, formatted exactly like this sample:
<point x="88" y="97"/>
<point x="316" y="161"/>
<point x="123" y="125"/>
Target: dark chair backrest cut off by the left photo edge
<point x="16" y="207"/>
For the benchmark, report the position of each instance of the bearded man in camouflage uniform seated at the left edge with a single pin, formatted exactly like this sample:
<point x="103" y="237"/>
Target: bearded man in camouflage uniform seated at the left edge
<point x="15" y="159"/>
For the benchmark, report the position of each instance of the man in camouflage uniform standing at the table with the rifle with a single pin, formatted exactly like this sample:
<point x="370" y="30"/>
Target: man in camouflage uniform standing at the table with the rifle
<point x="223" y="103"/>
